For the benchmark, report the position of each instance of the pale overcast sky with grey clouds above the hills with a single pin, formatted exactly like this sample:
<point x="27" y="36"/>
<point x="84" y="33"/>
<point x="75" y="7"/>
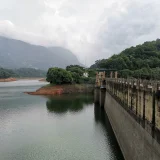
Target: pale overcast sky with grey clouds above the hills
<point x="92" y="29"/>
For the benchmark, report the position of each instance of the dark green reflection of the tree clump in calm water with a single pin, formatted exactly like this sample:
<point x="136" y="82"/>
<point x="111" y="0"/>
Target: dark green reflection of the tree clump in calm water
<point x="64" y="103"/>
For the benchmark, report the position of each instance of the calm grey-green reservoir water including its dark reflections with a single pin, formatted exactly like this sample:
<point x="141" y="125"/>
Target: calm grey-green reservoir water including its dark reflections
<point x="68" y="127"/>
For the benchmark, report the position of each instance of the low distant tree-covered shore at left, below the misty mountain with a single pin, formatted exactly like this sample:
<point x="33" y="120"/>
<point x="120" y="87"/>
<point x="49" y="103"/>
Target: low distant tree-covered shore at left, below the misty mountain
<point x="22" y="72"/>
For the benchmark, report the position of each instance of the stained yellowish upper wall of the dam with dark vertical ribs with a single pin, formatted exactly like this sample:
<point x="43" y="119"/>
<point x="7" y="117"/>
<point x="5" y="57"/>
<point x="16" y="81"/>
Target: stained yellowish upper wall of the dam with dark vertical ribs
<point x="142" y="97"/>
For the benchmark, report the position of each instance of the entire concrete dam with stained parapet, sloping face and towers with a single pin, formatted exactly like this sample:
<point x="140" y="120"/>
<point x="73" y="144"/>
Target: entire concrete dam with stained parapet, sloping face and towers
<point x="133" y="108"/>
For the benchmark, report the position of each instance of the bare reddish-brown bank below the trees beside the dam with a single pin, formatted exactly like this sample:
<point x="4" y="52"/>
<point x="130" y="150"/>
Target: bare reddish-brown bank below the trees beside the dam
<point x="63" y="89"/>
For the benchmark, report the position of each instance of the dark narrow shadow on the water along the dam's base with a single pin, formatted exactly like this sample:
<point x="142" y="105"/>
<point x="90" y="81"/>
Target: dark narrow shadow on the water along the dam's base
<point x="101" y="117"/>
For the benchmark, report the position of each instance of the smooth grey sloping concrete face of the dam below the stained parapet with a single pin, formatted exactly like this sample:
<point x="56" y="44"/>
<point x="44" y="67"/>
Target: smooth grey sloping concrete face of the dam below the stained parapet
<point x="135" y="142"/>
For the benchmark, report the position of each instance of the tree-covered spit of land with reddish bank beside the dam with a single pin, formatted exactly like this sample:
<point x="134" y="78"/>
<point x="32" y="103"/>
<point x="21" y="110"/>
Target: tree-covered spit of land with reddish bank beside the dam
<point x="73" y="79"/>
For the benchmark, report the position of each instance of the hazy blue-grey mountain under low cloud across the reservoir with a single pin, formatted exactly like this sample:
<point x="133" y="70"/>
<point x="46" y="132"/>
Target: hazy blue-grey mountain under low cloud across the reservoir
<point x="19" y="54"/>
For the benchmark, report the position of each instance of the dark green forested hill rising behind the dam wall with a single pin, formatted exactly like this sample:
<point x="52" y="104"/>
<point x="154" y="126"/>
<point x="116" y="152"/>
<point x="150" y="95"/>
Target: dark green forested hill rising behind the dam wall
<point x="142" y="61"/>
